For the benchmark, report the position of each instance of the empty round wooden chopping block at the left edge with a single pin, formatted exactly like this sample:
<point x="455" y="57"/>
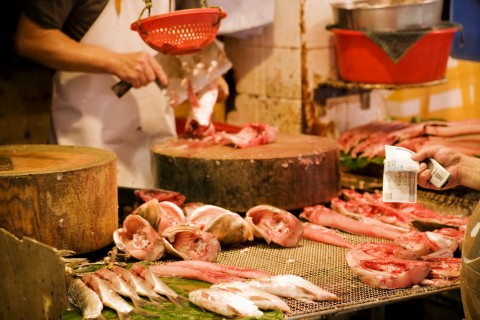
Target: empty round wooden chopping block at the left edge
<point x="63" y="196"/>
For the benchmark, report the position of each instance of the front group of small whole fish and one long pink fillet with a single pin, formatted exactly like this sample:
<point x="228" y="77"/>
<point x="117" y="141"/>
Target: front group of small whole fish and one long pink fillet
<point x="235" y="291"/>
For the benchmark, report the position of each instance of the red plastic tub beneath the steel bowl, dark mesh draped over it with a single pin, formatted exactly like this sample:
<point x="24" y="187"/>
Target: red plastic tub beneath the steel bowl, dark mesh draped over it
<point x="361" y="60"/>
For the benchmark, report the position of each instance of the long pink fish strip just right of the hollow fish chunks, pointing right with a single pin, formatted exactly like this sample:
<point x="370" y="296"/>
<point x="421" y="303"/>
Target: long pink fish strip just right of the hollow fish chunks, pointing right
<point x="321" y="215"/>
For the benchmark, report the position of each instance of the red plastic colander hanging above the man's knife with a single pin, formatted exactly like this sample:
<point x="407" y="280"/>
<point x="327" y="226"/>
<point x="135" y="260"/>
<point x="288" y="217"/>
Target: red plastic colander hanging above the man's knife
<point x="180" y="32"/>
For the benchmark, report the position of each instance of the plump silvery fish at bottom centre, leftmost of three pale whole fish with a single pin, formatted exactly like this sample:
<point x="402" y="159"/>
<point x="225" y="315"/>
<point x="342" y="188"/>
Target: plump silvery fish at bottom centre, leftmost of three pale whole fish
<point x="224" y="303"/>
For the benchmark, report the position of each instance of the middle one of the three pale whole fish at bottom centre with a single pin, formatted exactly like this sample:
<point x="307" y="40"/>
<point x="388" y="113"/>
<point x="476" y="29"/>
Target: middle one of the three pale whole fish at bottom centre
<point x="263" y="300"/>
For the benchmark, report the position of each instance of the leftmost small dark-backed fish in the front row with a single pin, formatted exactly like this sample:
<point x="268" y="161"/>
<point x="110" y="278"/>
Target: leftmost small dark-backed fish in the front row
<point x="85" y="299"/>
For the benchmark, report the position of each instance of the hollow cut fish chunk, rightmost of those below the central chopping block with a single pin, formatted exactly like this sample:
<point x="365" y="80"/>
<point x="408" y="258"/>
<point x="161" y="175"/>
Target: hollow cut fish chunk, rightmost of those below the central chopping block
<point x="275" y="225"/>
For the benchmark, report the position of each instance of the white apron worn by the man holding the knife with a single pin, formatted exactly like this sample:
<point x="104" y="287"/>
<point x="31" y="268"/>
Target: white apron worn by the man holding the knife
<point x="87" y="112"/>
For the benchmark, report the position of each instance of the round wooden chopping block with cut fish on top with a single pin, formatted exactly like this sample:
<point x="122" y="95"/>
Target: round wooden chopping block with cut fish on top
<point x="294" y="172"/>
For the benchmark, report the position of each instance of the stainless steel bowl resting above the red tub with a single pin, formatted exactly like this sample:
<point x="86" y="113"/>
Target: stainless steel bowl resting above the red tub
<point x="387" y="15"/>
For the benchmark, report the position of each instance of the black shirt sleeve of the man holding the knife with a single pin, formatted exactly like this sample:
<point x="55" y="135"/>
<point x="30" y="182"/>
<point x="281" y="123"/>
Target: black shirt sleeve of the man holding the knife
<point x="74" y="17"/>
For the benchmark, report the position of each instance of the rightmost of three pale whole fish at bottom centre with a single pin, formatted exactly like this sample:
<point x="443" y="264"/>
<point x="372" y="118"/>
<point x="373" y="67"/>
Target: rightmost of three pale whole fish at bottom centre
<point x="292" y="286"/>
